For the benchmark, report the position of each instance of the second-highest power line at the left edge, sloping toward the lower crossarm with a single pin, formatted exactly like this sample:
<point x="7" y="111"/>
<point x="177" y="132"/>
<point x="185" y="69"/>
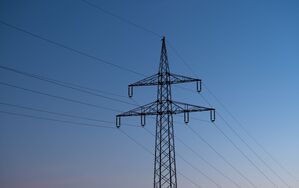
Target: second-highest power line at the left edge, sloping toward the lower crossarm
<point x="62" y="84"/>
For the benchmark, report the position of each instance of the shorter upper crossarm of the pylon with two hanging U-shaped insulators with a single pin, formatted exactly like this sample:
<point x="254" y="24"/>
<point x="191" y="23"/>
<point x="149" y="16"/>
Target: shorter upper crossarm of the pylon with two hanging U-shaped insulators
<point x="173" y="79"/>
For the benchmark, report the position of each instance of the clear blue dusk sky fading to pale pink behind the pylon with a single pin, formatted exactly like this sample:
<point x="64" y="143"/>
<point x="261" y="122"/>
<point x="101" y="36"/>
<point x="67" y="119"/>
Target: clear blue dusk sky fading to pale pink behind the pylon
<point x="246" y="53"/>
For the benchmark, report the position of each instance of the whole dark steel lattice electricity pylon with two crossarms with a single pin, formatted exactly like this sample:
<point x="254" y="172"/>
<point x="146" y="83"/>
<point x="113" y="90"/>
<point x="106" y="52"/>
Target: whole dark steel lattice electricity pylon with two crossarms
<point x="163" y="108"/>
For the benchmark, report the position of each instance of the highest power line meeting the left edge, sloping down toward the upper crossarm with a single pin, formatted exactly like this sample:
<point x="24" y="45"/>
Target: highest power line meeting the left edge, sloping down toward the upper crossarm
<point x="61" y="45"/>
